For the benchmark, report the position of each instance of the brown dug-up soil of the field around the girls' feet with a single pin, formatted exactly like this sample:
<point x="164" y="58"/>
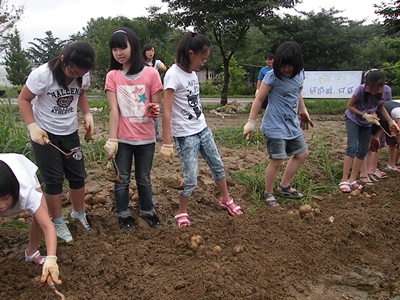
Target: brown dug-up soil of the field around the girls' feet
<point x="350" y="250"/>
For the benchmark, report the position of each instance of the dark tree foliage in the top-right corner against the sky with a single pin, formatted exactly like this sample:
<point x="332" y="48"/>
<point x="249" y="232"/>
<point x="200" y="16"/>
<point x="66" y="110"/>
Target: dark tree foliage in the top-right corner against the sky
<point x="391" y="12"/>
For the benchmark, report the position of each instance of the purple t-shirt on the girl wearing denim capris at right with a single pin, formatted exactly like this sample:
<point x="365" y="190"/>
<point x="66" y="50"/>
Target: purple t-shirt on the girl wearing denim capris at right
<point x="368" y="106"/>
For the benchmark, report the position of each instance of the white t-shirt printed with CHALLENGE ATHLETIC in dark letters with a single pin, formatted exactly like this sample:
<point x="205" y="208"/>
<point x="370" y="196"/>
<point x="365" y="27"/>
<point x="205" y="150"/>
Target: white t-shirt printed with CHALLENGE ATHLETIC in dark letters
<point x="54" y="108"/>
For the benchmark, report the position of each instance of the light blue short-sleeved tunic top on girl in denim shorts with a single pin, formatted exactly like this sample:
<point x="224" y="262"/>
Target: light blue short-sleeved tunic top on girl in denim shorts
<point x="280" y="120"/>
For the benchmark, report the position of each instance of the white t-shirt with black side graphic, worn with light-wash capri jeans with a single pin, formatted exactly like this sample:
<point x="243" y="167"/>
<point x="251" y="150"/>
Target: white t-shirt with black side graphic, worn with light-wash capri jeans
<point x="187" y="116"/>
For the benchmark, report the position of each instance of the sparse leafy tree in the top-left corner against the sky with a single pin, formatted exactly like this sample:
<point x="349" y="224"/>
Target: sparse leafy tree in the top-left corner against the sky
<point x="8" y="17"/>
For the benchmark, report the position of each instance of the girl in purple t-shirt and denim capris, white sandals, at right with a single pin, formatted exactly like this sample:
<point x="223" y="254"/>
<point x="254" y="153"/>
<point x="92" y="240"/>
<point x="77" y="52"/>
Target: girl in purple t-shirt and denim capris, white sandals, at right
<point x="360" y="115"/>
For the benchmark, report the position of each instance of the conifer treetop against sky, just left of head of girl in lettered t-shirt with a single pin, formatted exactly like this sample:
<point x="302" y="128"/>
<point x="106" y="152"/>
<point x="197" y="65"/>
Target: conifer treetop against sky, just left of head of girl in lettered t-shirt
<point x="45" y="49"/>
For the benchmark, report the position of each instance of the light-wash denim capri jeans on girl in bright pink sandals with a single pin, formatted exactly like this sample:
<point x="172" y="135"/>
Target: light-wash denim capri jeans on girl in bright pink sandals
<point x="189" y="148"/>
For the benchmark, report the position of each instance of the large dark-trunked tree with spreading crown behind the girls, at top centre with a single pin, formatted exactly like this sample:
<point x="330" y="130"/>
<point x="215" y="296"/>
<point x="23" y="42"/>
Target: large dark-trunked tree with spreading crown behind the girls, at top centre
<point x="226" y="22"/>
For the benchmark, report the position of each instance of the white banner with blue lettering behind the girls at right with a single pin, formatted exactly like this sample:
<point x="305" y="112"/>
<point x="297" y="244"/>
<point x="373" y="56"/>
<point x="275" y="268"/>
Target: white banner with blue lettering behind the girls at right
<point x="331" y="84"/>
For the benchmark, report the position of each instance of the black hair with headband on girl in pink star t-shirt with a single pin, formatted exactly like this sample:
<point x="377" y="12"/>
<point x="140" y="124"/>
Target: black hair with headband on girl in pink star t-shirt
<point x="120" y="39"/>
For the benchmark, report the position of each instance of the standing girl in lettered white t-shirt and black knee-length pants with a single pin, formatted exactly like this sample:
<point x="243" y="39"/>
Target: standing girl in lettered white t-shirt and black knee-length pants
<point x="57" y="90"/>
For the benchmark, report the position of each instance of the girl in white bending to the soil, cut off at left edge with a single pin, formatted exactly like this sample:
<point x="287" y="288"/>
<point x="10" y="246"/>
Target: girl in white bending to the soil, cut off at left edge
<point x="20" y="191"/>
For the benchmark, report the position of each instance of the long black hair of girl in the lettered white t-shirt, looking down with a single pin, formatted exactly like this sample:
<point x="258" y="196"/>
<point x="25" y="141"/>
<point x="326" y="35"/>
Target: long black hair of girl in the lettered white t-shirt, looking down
<point x="78" y="53"/>
